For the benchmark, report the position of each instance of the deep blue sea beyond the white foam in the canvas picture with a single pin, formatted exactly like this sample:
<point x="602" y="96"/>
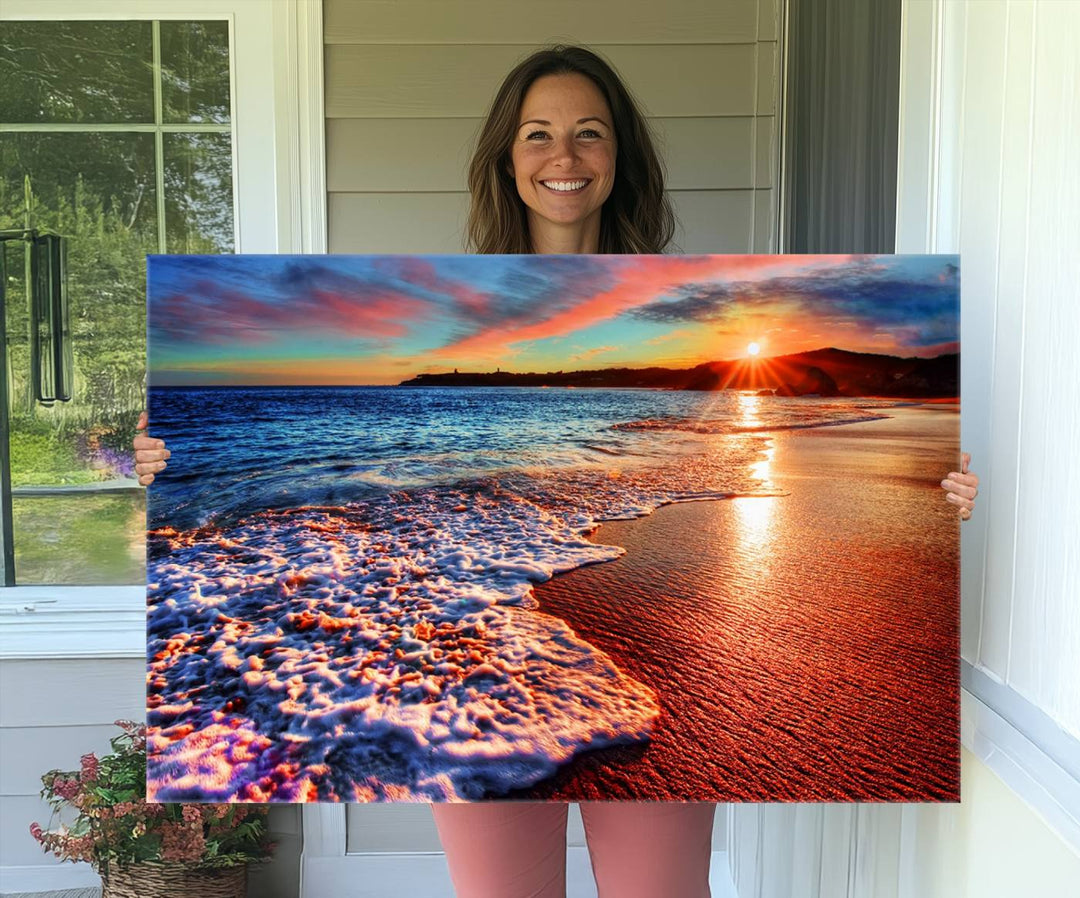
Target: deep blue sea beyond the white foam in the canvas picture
<point x="250" y="449"/>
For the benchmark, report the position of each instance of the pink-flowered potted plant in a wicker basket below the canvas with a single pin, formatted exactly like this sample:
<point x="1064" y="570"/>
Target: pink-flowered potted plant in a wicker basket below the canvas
<point x="147" y="849"/>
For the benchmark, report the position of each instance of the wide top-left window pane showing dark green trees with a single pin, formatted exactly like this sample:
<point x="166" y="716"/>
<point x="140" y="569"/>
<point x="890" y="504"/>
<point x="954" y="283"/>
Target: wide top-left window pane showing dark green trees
<point x="76" y="72"/>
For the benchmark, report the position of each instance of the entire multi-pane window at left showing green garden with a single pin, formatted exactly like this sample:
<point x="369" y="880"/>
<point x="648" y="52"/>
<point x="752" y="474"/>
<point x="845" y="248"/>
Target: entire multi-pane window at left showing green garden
<point x="117" y="136"/>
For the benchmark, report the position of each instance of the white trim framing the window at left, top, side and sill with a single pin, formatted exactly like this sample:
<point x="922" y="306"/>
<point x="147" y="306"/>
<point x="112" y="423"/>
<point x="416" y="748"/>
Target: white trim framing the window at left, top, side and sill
<point x="279" y="159"/>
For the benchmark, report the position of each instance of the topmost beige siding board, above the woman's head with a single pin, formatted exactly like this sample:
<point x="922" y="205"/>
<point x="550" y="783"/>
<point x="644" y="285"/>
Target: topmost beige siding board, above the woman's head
<point x="522" y="22"/>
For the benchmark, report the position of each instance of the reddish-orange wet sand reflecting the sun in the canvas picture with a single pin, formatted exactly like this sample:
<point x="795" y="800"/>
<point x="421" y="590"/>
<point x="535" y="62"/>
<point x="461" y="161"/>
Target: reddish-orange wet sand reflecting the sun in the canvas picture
<point x="804" y="648"/>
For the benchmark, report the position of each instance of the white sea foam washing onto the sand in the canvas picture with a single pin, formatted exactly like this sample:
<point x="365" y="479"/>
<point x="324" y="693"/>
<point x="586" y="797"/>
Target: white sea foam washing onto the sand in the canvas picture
<point x="393" y="650"/>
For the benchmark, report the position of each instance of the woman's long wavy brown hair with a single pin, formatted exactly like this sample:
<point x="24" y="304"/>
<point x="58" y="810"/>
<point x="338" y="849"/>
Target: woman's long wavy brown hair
<point x="638" y="217"/>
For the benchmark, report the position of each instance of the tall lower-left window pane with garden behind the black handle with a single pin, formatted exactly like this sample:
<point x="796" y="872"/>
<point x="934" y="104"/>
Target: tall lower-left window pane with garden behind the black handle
<point x="99" y="192"/>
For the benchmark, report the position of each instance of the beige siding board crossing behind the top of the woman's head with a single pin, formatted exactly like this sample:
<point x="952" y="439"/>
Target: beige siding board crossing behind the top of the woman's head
<point x="441" y="82"/>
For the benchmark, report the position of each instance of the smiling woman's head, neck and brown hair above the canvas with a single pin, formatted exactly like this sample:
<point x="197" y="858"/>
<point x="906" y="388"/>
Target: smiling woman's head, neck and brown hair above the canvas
<point x="563" y="117"/>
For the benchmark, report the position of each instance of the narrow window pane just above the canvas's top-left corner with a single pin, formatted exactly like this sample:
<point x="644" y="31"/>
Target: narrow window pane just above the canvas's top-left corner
<point x="199" y="194"/>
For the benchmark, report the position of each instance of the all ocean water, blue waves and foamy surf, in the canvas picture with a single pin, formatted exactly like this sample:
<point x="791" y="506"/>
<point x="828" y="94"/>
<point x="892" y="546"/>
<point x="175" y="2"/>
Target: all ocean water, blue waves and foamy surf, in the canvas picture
<point x="340" y="599"/>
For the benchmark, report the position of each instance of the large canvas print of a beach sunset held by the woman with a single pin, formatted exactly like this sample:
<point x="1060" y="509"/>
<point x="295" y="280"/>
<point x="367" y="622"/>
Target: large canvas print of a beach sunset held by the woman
<point x="553" y="528"/>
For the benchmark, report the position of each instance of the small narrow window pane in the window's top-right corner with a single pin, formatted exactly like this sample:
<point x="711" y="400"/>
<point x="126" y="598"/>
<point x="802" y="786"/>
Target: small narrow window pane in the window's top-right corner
<point x="195" y="72"/>
